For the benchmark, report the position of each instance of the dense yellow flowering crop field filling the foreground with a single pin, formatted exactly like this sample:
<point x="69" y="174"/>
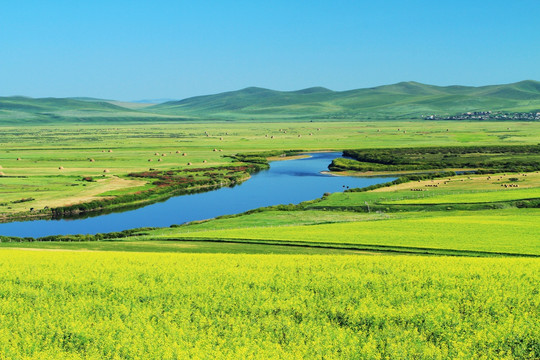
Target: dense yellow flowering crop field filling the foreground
<point x="85" y="305"/>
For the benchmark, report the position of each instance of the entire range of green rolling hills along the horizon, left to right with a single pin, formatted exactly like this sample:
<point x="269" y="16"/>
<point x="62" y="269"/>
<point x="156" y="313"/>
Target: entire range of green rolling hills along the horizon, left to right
<point x="405" y="100"/>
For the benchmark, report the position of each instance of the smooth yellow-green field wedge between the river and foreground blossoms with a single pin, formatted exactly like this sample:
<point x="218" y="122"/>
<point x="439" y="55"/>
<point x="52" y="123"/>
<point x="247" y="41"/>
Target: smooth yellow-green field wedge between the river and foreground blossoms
<point x="509" y="231"/>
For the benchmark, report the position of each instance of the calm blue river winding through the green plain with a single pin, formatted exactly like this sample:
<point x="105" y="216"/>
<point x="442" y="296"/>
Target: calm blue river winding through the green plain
<point x="286" y="182"/>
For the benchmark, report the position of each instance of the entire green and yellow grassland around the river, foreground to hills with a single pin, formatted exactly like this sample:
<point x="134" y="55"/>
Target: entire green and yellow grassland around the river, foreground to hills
<point x="433" y="265"/>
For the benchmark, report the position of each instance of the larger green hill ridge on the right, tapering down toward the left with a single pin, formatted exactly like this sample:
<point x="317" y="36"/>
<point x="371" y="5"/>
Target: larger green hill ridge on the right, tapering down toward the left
<point x="398" y="101"/>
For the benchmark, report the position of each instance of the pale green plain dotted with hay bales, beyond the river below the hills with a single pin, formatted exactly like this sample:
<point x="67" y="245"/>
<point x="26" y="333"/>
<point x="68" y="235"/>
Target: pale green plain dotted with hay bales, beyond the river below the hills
<point x="54" y="160"/>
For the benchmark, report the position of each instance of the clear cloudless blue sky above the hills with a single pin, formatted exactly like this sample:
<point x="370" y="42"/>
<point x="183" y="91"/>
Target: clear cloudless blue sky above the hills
<point x="131" y="50"/>
